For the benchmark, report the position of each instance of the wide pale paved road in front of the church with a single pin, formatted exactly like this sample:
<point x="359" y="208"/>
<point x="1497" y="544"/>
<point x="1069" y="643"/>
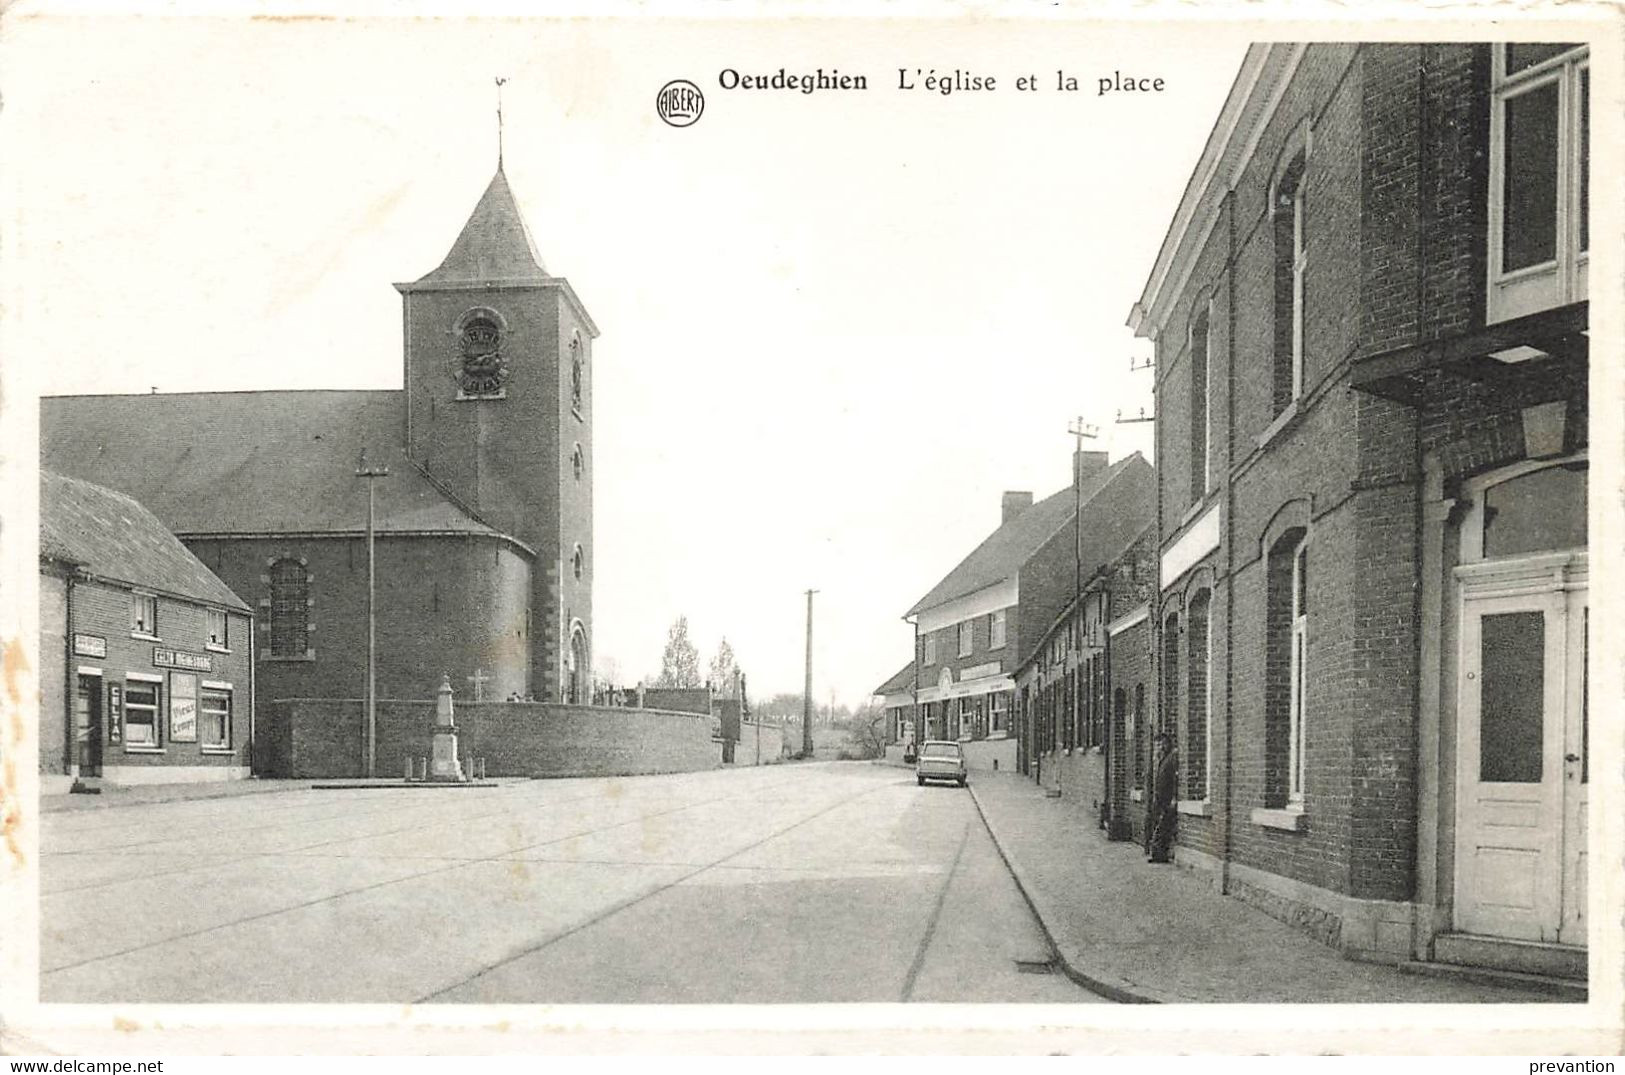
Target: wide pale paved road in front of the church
<point x="834" y="883"/>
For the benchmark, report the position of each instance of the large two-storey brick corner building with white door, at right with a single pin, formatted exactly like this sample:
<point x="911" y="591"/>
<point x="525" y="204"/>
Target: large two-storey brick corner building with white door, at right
<point x="1369" y="316"/>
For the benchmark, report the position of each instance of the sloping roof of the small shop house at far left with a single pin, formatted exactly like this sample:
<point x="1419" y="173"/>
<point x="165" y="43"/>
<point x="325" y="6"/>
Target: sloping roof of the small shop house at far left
<point x="113" y="537"/>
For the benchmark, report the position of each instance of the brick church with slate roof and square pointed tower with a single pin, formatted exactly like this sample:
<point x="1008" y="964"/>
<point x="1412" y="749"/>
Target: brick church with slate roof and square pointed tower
<point x="483" y="524"/>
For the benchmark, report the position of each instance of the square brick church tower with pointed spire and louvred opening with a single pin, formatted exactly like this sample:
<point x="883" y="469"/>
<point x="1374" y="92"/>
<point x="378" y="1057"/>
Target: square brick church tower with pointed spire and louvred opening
<point x="500" y="417"/>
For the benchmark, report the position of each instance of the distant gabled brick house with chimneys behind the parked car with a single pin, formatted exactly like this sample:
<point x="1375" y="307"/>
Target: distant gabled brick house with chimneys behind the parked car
<point x="982" y="621"/>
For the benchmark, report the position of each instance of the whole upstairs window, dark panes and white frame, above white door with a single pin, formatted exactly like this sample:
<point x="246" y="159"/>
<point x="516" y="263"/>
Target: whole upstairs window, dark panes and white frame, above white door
<point x="1540" y="178"/>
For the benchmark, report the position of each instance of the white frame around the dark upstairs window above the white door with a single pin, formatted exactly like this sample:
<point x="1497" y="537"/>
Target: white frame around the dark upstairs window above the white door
<point x="1562" y="280"/>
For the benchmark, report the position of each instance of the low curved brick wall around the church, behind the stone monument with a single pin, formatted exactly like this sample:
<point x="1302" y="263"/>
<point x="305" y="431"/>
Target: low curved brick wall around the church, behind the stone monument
<point x="323" y="738"/>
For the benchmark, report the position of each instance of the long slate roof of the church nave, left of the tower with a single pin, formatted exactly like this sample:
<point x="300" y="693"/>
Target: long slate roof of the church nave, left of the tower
<point x="251" y="462"/>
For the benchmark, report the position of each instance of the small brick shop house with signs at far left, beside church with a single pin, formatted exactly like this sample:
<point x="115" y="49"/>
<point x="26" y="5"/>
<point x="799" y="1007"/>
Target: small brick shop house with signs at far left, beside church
<point x="147" y="671"/>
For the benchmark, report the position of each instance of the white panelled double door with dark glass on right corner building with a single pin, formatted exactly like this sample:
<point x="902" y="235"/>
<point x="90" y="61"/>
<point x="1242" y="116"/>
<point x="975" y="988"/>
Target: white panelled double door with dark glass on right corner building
<point x="1520" y="840"/>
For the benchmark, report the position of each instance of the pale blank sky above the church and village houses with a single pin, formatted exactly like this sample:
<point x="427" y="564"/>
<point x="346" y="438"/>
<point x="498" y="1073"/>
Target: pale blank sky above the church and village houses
<point x="836" y="327"/>
